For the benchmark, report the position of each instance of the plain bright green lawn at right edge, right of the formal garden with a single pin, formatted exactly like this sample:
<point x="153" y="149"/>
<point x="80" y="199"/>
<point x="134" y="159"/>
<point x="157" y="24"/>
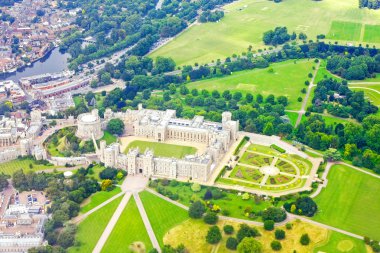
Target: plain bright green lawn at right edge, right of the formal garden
<point x="351" y="202"/>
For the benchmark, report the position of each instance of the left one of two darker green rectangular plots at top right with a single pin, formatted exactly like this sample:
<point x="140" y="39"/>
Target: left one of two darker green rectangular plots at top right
<point x="347" y="31"/>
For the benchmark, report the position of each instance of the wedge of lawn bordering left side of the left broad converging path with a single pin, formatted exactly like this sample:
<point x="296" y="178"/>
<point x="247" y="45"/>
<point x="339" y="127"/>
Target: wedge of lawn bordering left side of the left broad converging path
<point x="90" y="230"/>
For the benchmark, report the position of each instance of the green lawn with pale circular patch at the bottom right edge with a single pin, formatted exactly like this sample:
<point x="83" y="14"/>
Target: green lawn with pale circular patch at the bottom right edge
<point x="338" y="242"/>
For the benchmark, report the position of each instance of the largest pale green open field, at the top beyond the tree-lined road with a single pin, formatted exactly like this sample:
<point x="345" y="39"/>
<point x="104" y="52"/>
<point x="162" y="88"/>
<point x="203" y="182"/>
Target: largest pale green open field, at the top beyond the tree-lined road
<point x="245" y="22"/>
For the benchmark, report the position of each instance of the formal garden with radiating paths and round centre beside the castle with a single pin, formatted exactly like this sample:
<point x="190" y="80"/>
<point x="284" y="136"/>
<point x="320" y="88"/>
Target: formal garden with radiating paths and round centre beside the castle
<point x="266" y="168"/>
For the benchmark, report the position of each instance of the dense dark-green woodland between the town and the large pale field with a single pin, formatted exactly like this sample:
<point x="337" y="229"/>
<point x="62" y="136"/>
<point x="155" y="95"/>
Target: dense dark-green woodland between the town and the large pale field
<point x="121" y="24"/>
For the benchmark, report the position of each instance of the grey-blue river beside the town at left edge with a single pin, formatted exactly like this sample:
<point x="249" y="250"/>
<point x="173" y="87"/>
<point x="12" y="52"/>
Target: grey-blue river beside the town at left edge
<point x="54" y="61"/>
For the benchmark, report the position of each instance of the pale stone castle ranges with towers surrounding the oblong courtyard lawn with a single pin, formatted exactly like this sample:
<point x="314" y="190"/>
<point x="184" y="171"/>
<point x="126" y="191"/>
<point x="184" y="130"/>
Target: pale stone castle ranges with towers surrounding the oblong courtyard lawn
<point x="161" y="126"/>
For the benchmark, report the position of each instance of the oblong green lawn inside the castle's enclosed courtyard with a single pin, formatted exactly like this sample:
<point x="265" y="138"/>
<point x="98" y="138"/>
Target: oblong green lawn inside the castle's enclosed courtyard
<point x="162" y="149"/>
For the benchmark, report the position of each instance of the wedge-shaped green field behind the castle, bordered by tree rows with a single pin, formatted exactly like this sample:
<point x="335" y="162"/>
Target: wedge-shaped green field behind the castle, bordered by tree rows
<point x="288" y="79"/>
